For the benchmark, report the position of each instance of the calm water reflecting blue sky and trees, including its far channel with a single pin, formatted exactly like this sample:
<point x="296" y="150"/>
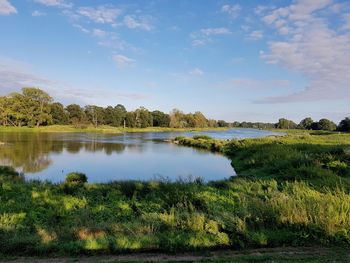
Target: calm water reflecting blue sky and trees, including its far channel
<point x="107" y="157"/>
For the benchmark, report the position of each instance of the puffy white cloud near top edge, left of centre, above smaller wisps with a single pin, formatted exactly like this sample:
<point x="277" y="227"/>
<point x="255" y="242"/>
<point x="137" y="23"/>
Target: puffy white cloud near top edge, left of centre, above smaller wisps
<point x="101" y="14"/>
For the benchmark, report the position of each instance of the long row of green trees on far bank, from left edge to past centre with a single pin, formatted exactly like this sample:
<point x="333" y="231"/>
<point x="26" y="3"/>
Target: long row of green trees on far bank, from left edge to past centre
<point x="34" y="107"/>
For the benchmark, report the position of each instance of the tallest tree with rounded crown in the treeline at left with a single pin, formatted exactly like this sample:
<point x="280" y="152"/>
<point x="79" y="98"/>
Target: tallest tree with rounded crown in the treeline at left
<point x="37" y="105"/>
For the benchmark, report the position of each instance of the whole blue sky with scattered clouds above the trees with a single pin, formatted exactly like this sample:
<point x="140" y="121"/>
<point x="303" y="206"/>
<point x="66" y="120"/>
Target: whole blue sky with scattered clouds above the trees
<point x="232" y="60"/>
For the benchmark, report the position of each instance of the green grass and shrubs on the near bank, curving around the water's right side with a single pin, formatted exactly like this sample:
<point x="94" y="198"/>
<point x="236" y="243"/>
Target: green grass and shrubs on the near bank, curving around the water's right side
<point x="291" y="191"/>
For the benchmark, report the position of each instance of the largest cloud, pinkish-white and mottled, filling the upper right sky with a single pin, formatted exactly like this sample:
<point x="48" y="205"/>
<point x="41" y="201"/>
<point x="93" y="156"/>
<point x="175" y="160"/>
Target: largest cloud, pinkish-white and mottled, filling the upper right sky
<point x="310" y="46"/>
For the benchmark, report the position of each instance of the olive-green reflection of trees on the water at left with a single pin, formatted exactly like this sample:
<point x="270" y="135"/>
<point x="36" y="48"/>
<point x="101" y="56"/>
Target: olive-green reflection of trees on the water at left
<point x="30" y="152"/>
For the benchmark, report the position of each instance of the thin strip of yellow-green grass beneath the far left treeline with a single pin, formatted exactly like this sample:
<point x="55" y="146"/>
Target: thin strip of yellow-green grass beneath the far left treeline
<point x="99" y="129"/>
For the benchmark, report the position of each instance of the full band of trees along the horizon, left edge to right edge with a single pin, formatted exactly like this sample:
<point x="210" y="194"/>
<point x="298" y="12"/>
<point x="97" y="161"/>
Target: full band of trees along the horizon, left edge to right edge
<point x="33" y="107"/>
